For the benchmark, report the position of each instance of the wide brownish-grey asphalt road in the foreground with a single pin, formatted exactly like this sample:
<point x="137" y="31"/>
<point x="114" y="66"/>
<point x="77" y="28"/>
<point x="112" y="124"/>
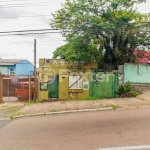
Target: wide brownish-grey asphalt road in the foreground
<point x="127" y="129"/>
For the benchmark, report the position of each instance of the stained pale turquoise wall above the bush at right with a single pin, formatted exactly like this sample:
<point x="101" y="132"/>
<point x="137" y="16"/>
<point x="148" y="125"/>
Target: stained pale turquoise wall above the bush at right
<point x="137" y="73"/>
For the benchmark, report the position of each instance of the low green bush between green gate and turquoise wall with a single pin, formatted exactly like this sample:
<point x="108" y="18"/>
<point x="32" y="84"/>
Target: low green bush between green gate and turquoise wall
<point x="125" y="90"/>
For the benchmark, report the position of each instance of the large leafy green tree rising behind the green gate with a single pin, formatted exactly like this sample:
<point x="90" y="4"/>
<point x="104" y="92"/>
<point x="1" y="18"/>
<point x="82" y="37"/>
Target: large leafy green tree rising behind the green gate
<point x="103" y="31"/>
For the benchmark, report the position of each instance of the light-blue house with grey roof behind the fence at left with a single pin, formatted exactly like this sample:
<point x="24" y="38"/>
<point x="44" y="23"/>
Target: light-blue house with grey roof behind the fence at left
<point x="19" y="67"/>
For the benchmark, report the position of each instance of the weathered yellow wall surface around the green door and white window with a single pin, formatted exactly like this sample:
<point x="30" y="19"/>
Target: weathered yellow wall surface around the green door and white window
<point x="63" y="68"/>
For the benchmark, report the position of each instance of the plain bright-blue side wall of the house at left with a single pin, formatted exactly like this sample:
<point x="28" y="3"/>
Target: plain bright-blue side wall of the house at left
<point x="24" y="68"/>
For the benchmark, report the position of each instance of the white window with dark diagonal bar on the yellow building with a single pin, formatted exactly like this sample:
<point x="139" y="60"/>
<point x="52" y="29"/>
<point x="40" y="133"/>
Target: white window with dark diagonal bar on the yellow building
<point x="75" y="82"/>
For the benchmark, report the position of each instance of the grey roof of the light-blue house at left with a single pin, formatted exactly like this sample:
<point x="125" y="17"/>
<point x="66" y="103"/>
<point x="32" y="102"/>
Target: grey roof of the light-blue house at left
<point x="10" y="61"/>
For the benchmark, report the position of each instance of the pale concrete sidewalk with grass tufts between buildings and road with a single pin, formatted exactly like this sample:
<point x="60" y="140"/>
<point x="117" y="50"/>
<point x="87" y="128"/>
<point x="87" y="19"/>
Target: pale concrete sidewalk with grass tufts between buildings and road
<point x="17" y="108"/>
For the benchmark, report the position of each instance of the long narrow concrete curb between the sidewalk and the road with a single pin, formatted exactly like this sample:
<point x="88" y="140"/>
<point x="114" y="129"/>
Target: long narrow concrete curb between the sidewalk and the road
<point x="61" y="112"/>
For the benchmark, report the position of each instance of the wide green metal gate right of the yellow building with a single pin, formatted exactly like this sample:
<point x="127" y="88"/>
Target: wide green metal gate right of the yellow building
<point x="103" y="85"/>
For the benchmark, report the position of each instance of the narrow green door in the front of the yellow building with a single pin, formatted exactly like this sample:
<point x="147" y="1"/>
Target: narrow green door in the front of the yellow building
<point x="53" y="88"/>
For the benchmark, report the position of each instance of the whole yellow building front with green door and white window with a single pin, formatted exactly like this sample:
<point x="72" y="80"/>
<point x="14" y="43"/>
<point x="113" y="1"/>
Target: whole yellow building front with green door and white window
<point x="64" y="79"/>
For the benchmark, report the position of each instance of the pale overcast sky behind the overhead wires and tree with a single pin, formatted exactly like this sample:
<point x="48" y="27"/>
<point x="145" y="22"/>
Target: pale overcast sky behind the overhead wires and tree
<point x="17" y="15"/>
